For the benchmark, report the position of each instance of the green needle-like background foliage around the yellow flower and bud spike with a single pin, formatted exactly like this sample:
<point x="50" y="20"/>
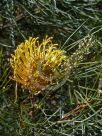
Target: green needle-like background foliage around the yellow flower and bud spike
<point x="75" y="109"/>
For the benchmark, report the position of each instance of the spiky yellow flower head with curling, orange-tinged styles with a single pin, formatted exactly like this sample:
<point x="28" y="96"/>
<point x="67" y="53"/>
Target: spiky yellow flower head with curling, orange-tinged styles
<point x="38" y="66"/>
